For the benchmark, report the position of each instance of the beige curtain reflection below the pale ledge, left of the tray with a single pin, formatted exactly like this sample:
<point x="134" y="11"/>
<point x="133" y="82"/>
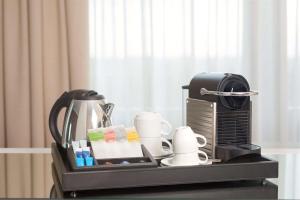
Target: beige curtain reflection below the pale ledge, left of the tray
<point x="25" y="175"/>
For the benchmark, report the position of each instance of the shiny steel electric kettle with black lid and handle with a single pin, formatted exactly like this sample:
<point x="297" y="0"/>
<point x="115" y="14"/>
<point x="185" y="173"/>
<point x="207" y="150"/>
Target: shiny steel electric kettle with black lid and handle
<point x="85" y="109"/>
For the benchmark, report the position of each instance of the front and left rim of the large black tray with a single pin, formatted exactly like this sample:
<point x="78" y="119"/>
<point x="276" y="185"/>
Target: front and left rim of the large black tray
<point x="257" y="168"/>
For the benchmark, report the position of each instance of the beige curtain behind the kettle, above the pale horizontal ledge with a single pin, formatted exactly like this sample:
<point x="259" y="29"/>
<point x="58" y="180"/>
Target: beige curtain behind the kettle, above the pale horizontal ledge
<point x="43" y="51"/>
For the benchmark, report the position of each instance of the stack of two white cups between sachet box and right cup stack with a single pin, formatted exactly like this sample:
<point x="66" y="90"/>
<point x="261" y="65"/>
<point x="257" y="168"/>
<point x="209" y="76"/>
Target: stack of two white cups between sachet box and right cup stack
<point x="153" y="129"/>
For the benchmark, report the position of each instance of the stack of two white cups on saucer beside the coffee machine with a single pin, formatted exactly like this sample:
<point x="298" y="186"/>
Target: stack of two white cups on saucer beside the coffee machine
<point x="185" y="145"/>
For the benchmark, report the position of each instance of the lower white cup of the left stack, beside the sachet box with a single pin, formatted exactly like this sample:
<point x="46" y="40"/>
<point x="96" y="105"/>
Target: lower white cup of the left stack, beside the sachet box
<point x="154" y="146"/>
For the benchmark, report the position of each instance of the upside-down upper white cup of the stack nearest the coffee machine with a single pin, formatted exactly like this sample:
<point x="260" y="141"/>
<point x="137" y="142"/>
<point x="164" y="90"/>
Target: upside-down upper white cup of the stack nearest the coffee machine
<point x="185" y="140"/>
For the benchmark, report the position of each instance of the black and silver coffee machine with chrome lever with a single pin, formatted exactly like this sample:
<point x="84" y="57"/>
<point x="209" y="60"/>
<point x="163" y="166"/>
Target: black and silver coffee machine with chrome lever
<point x="219" y="107"/>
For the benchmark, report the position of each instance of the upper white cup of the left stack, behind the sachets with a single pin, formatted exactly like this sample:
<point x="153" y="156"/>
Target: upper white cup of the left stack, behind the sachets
<point x="151" y="125"/>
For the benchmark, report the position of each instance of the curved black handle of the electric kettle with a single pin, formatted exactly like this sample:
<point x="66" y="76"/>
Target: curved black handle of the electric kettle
<point x="61" y="102"/>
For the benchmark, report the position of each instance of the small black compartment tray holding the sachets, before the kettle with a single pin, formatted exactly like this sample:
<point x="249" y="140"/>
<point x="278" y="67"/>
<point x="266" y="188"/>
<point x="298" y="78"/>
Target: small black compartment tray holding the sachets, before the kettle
<point x="134" y="162"/>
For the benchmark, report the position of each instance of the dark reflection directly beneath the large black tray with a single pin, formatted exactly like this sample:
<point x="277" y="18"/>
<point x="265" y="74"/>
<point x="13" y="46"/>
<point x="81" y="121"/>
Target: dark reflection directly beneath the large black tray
<point x="227" y="190"/>
